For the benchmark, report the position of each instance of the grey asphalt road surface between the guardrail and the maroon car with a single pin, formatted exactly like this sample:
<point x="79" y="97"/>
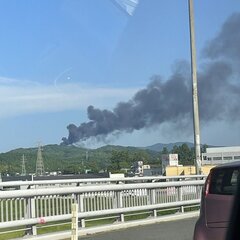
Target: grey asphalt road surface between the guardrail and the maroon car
<point x="172" y="230"/>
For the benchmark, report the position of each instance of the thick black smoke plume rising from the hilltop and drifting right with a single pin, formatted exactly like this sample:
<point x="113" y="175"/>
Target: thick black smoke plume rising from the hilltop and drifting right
<point x="171" y="100"/>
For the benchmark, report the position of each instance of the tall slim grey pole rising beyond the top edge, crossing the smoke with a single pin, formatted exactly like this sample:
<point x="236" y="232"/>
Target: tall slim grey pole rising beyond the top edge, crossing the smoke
<point x="194" y="90"/>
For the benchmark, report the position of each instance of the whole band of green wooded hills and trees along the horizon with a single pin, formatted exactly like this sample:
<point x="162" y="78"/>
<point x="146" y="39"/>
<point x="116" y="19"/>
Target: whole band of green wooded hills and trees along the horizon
<point x="72" y="159"/>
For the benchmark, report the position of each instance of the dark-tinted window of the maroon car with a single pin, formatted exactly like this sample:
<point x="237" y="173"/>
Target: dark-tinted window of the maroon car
<point x="224" y="181"/>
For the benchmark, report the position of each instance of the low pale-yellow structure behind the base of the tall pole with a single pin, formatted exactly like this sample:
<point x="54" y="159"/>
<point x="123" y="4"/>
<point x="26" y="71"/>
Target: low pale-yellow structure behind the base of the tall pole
<point x="186" y="170"/>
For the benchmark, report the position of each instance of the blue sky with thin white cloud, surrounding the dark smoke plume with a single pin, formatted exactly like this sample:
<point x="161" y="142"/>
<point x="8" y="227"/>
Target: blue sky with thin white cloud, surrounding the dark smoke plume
<point x="58" y="57"/>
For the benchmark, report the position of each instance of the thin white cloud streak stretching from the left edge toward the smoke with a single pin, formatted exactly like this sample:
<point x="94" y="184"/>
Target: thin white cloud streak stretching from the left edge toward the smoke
<point x="24" y="97"/>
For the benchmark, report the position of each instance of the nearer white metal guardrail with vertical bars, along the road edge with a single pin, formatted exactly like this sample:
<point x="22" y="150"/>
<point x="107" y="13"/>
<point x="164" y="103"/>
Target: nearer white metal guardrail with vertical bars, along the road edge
<point x="31" y="207"/>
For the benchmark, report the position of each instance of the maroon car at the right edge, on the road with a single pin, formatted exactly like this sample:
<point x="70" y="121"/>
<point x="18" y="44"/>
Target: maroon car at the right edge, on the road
<point x="217" y="202"/>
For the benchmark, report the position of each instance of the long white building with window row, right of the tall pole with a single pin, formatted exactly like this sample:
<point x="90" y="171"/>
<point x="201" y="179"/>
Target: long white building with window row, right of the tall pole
<point x="219" y="155"/>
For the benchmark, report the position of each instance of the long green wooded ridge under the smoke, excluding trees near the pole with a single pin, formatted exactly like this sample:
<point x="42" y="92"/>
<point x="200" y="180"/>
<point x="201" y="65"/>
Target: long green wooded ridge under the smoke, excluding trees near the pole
<point x="69" y="159"/>
